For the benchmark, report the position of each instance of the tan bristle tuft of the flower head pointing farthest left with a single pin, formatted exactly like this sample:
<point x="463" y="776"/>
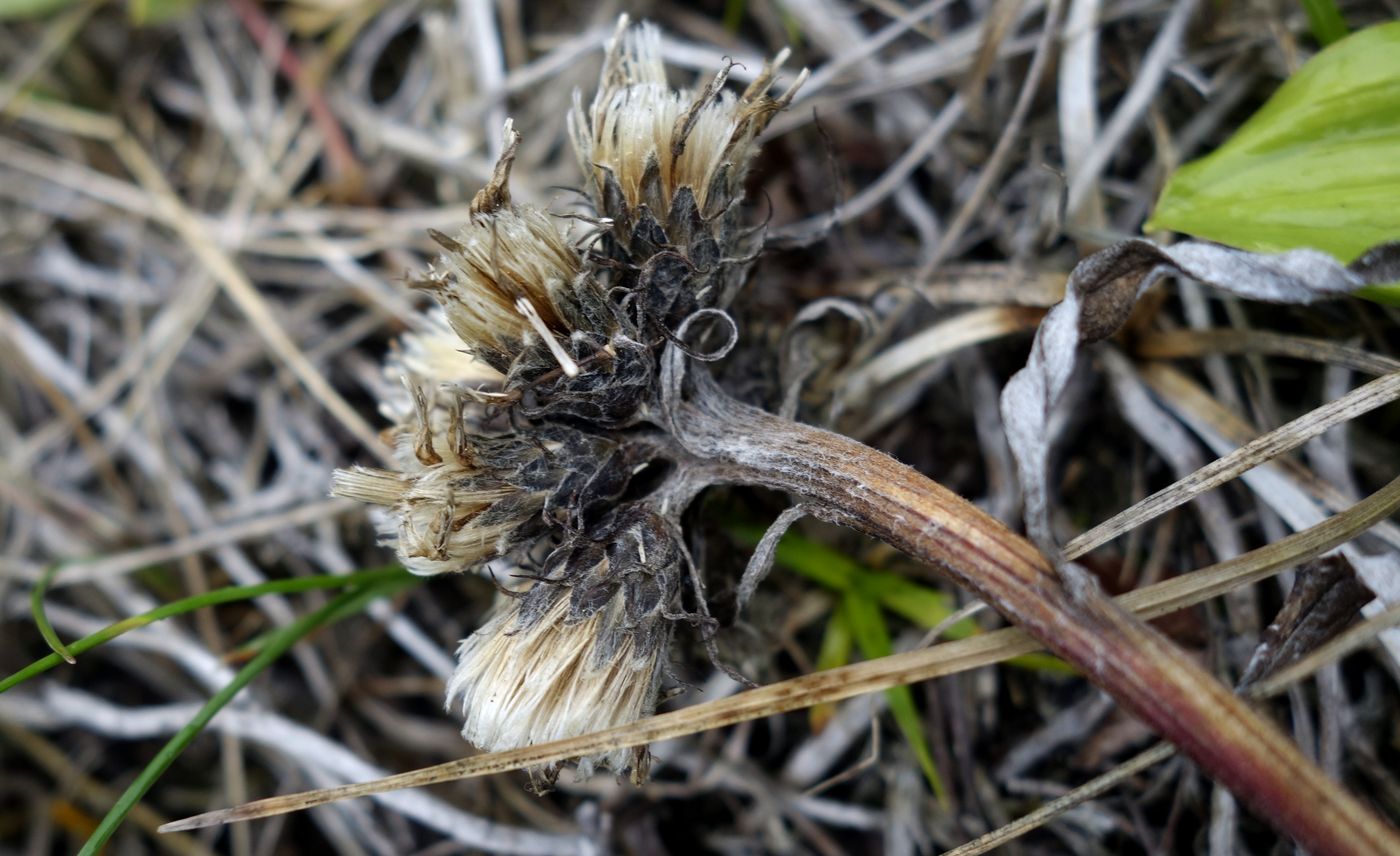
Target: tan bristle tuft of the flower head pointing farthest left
<point x="446" y="518"/>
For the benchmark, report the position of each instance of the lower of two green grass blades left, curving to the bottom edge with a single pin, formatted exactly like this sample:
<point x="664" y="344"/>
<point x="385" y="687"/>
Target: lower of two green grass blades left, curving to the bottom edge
<point x="278" y="645"/>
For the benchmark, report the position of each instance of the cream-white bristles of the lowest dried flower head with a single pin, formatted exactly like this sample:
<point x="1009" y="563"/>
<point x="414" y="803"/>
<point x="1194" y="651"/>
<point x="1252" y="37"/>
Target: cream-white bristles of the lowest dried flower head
<point x="523" y="686"/>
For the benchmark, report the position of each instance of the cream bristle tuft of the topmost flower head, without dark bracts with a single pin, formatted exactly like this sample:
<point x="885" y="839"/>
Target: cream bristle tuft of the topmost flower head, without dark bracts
<point x="703" y="141"/>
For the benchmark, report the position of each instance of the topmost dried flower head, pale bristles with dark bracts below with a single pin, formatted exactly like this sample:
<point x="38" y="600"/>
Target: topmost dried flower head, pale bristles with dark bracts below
<point x="666" y="169"/>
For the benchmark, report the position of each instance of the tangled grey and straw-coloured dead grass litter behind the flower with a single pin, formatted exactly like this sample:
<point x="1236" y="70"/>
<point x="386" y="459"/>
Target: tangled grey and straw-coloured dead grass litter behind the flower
<point x="208" y="215"/>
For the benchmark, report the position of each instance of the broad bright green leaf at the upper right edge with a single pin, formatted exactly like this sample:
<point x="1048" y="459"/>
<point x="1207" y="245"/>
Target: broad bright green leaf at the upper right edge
<point x="1318" y="166"/>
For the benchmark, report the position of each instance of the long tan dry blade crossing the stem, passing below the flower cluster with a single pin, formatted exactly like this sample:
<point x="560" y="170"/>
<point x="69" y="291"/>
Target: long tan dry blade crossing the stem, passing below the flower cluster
<point x="842" y="683"/>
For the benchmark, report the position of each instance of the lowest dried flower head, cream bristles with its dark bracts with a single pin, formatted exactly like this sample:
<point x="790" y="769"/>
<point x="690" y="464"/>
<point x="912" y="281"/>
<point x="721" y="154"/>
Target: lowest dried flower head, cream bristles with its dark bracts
<point x="584" y="649"/>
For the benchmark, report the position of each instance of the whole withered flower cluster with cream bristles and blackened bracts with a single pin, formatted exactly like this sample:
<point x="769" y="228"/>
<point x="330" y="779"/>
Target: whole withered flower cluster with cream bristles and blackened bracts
<point x="561" y="336"/>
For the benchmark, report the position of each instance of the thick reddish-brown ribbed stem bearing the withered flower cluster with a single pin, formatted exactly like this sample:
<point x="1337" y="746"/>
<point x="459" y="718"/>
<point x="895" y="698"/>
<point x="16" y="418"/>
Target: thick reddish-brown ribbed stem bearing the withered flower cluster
<point x="1149" y="676"/>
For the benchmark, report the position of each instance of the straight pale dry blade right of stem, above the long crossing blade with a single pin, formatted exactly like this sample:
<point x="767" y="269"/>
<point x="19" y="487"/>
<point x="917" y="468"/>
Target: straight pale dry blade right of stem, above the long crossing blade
<point x="1265" y="448"/>
